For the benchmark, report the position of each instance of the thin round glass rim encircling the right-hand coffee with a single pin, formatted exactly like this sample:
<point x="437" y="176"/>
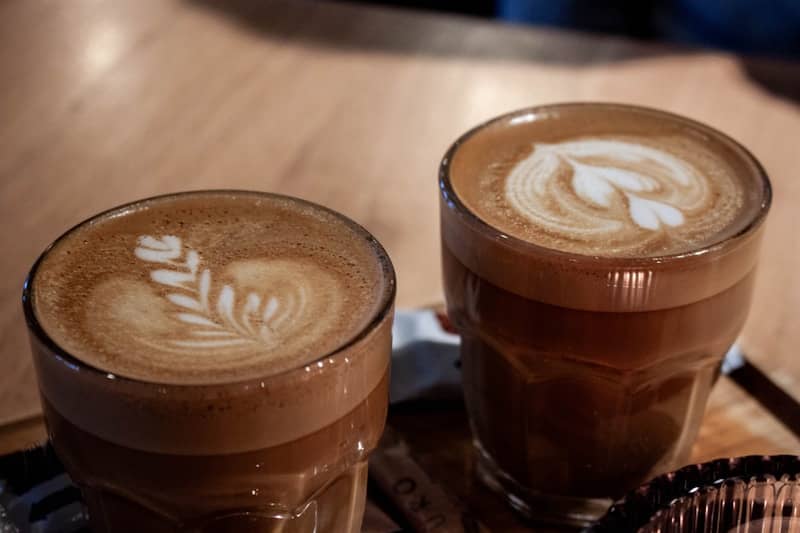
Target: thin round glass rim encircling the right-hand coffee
<point x="530" y="114"/>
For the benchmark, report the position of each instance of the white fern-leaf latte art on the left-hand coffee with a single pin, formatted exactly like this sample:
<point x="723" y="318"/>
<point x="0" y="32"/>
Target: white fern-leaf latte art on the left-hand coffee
<point x="223" y="317"/>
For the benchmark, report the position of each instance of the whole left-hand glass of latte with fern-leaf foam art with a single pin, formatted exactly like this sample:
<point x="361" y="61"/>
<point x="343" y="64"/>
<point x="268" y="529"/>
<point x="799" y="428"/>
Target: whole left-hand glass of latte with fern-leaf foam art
<point x="215" y="361"/>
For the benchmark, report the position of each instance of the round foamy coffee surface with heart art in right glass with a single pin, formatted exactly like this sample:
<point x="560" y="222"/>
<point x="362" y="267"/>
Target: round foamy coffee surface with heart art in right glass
<point x="605" y="181"/>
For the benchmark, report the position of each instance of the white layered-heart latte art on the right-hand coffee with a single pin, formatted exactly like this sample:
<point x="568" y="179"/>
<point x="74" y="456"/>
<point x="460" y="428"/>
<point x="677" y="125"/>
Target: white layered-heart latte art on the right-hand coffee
<point x="612" y="190"/>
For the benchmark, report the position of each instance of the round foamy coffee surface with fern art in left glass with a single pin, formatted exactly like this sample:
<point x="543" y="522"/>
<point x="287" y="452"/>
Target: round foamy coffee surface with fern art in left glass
<point x="208" y="288"/>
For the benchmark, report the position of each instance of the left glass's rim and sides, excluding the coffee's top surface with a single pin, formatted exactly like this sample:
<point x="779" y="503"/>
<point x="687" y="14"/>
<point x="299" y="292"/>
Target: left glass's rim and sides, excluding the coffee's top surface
<point x="147" y="456"/>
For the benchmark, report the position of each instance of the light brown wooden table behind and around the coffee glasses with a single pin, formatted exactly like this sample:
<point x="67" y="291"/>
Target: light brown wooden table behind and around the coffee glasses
<point x="352" y="107"/>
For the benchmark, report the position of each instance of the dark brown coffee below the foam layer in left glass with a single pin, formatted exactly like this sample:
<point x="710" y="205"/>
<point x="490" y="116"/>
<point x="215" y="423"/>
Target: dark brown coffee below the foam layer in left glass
<point x="281" y="489"/>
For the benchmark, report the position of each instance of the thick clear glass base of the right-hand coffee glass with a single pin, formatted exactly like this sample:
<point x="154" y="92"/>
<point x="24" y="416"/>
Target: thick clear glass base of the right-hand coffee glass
<point x="536" y="506"/>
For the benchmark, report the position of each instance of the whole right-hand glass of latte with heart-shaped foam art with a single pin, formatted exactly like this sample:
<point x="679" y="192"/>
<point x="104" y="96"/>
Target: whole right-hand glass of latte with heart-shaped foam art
<point x="598" y="262"/>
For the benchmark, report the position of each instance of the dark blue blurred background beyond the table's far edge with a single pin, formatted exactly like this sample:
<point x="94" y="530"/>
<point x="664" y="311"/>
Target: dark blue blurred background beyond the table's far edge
<point x="768" y="27"/>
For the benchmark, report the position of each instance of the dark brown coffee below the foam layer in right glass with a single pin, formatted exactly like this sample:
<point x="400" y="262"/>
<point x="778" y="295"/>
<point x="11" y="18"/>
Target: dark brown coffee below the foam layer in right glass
<point x="585" y="403"/>
